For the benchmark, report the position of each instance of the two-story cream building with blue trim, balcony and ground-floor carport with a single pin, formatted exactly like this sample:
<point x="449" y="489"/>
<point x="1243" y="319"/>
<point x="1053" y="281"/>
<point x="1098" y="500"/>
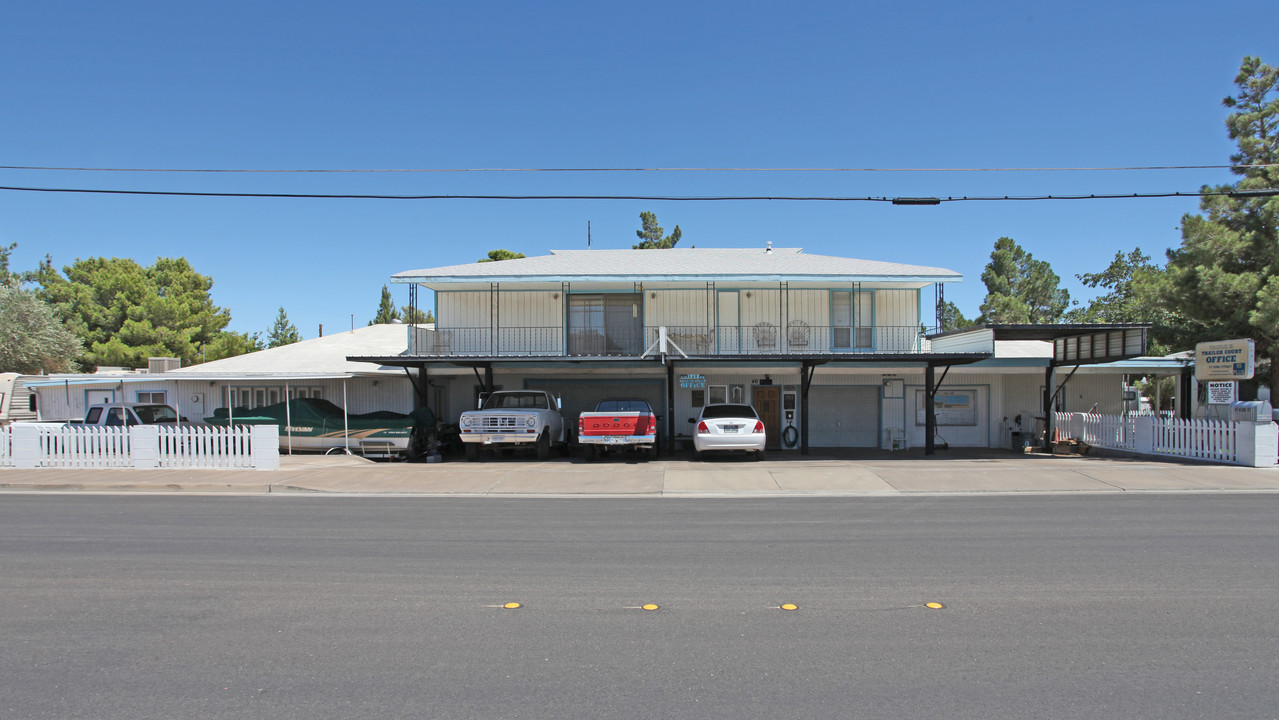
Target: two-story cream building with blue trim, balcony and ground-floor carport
<point x="833" y="352"/>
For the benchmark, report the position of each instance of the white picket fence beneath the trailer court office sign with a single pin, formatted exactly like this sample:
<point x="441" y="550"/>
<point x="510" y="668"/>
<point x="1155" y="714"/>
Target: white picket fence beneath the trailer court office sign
<point x="1217" y="441"/>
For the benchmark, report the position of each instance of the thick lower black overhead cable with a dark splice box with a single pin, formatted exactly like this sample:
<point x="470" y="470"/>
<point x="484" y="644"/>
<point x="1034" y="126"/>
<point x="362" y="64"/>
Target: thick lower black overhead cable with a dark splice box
<point x="1264" y="192"/>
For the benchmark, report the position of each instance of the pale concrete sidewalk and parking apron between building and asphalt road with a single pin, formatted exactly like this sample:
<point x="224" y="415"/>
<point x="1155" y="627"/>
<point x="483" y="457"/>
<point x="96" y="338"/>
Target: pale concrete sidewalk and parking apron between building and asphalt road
<point x="852" y="474"/>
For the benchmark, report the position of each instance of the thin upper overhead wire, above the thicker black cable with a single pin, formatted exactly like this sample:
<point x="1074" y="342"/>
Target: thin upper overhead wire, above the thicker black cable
<point x="227" y="171"/>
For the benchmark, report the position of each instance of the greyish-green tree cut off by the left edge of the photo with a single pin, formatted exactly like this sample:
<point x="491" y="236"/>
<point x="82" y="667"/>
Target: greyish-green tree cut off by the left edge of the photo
<point x="33" y="340"/>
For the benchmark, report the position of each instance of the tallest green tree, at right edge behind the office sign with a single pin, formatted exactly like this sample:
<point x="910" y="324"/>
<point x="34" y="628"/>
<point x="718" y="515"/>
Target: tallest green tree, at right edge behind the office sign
<point x="1223" y="282"/>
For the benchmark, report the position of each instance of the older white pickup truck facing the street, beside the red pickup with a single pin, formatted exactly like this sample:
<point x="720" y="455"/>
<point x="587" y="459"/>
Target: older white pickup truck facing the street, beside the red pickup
<point x="515" y="419"/>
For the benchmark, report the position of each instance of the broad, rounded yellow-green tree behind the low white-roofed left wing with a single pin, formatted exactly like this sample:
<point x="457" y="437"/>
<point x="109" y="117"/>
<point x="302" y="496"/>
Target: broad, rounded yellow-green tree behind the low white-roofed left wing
<point x="126" y="314"/>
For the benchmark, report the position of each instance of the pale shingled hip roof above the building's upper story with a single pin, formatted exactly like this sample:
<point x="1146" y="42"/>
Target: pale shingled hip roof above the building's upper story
<point x="681" y="265"/>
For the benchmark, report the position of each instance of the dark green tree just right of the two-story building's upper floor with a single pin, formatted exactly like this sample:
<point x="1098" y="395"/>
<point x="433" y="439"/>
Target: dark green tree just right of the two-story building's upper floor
<point x="1021" y="290"/>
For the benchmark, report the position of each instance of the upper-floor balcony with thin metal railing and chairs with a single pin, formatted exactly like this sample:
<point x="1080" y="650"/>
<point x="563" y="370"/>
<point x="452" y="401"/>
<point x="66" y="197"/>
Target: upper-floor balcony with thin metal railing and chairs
<point x="695" y="341"/>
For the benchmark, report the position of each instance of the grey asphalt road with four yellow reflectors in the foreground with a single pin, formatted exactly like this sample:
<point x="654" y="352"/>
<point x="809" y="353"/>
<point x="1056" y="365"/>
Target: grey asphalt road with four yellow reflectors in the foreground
<point x="310" y="608"/>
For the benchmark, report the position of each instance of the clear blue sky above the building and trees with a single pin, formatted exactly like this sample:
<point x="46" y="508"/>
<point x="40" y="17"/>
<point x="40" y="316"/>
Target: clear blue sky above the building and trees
<point x="397" y="85"/>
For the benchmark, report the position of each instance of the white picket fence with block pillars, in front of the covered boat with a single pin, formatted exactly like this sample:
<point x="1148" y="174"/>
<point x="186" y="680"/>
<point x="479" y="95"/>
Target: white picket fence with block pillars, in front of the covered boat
<point x="140" y="447"/>
